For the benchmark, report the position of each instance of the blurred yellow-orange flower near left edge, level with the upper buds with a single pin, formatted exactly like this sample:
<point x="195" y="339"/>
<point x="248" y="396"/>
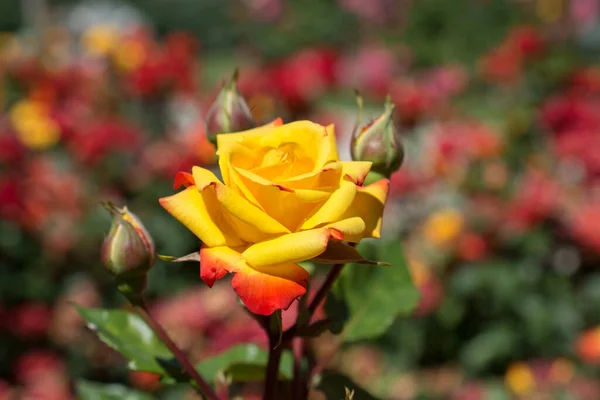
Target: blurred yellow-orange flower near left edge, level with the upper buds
<point x="35" y="129"/>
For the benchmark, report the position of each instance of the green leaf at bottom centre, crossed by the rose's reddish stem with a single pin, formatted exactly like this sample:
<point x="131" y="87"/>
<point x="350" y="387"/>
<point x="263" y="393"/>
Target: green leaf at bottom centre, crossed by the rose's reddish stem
<point x="238" y="362"/>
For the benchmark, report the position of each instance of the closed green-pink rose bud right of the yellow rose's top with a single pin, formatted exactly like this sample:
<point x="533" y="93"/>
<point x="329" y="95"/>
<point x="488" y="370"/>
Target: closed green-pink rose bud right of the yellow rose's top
<point x="377" y="141"/>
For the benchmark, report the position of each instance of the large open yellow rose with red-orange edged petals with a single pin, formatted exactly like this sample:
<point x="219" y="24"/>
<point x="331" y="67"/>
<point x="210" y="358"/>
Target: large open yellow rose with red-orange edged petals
<point x="284" y="198"/>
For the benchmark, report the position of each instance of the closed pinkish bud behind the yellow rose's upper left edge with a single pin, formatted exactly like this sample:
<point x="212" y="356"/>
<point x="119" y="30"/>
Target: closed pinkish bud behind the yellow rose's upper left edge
<point x="229" y="113"/>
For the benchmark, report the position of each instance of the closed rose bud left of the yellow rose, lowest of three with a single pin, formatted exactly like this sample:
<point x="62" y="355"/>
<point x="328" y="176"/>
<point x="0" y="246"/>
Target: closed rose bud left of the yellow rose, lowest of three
<point x="128" y="252"/>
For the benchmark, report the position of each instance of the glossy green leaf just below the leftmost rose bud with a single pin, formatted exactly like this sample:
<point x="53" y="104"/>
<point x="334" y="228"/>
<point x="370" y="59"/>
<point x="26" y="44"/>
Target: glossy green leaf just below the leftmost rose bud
<point x="128" y="334"/>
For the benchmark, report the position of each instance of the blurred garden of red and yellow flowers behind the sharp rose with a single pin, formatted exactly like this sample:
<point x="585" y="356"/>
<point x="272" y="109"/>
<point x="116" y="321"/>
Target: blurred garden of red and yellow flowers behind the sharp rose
<point x="497" y="205"/>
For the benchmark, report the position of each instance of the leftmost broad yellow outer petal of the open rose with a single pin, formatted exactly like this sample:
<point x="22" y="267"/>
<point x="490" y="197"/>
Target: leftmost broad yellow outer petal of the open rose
<point x="193" y="210"/>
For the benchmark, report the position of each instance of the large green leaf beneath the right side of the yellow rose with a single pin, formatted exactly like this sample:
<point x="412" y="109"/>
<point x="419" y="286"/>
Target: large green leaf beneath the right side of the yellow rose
<point x="370" y="298"/>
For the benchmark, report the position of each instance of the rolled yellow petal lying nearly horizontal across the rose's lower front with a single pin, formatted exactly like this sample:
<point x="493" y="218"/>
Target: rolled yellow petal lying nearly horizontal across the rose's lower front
<point x="294" y="247"/>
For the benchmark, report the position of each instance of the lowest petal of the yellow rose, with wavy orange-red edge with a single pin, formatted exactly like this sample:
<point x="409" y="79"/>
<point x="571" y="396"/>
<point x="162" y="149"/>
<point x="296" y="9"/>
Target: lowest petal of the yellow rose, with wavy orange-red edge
<point x="263" y="290"/>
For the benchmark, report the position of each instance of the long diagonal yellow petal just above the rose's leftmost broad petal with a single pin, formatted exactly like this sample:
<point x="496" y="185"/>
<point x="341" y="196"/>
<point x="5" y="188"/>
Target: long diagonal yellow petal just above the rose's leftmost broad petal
<point x="236" y="205"/>
